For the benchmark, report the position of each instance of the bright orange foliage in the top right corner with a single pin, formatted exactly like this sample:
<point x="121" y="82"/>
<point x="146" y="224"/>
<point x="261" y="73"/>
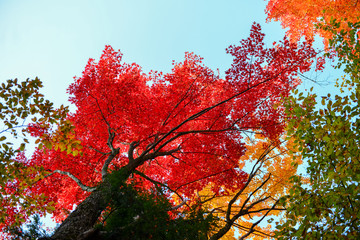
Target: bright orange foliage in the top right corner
<point x="301" y="17"/>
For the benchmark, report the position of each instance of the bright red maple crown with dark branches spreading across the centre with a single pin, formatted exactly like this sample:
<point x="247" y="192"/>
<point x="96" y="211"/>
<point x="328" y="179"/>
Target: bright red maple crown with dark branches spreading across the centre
<point x="183" y="129"/>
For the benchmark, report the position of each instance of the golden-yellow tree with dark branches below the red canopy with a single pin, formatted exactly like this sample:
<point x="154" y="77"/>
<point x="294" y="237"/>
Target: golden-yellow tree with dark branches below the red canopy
<point x="270" y="165"/>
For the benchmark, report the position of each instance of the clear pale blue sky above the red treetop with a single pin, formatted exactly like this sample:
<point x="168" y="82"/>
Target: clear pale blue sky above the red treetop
<point x="54" y="39"/>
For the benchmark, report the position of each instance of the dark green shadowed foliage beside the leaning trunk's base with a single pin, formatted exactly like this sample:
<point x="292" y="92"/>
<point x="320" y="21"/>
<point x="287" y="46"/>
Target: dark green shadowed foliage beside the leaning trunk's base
<point x="142" y="215"/>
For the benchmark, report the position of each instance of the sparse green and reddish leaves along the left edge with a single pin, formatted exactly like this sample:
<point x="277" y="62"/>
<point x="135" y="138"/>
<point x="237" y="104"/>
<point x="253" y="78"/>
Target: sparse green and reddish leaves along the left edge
<point x="21" y="104"/>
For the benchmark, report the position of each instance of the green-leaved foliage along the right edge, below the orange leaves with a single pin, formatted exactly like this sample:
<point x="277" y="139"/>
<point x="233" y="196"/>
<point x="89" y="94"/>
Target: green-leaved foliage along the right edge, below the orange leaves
<point x="328" y="138"/>
